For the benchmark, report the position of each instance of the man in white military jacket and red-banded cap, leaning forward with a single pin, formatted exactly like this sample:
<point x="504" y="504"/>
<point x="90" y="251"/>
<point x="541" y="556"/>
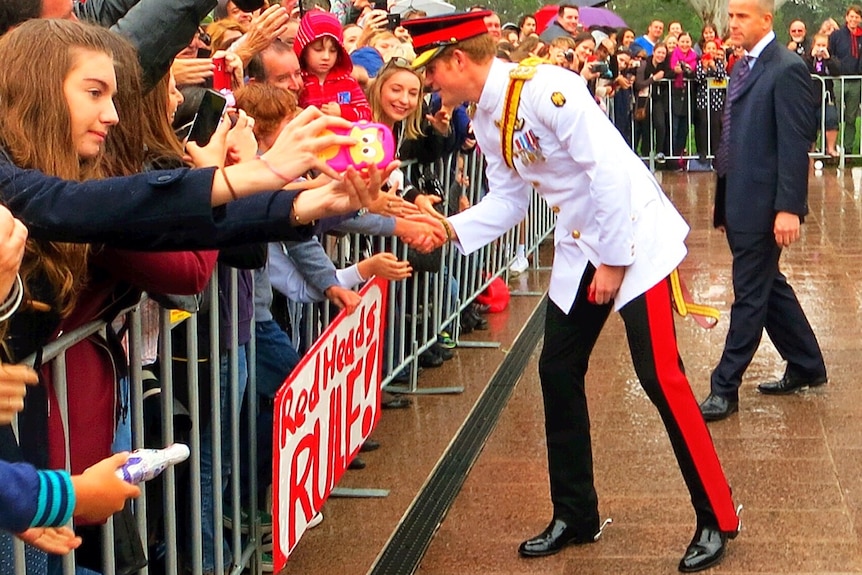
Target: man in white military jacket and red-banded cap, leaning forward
<point x="617" y="239"/>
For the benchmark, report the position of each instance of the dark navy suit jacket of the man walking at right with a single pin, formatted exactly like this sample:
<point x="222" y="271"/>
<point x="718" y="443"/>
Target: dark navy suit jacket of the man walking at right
<point x="771" y="128"/>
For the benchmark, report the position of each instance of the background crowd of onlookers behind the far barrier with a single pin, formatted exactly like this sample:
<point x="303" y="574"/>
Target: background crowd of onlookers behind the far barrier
<point x="668" y="82"/>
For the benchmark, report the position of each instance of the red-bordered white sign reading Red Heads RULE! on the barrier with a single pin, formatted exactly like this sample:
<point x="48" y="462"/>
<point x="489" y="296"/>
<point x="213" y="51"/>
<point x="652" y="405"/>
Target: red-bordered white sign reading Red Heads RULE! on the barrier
<point x="324" y="411"/>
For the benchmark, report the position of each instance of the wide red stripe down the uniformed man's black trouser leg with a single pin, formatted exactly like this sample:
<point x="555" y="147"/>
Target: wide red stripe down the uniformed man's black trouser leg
<point x="684" y="408"/>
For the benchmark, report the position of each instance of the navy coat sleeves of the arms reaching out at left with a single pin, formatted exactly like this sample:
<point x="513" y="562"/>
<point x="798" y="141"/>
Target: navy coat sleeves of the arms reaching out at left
<point x="160" y="210"/>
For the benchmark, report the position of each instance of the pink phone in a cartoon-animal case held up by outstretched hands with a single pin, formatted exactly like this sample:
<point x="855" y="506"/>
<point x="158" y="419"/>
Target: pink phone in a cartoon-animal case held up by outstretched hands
<point x="376" y="147"/>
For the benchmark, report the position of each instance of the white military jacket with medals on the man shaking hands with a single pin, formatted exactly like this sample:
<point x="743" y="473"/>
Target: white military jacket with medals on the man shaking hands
<point x="610" y="209"/>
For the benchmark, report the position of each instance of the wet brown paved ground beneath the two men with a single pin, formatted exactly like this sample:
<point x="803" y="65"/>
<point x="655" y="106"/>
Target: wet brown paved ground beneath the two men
<point x="794" y="462"/>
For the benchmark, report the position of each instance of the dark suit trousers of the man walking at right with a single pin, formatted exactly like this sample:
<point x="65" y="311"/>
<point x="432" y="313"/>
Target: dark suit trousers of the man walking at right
<point x="763" y="300"/>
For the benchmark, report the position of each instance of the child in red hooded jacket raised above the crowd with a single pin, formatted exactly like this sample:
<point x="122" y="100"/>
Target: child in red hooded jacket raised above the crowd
<point x="326" y="69"/>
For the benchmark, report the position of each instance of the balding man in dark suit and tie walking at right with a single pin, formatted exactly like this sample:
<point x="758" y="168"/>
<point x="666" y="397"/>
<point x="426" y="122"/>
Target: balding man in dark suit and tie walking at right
<point x="762" y="197"/>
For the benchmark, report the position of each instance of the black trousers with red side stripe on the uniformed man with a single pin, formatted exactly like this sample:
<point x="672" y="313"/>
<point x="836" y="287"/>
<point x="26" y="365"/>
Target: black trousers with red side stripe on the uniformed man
<point x="569" y="341"/>
